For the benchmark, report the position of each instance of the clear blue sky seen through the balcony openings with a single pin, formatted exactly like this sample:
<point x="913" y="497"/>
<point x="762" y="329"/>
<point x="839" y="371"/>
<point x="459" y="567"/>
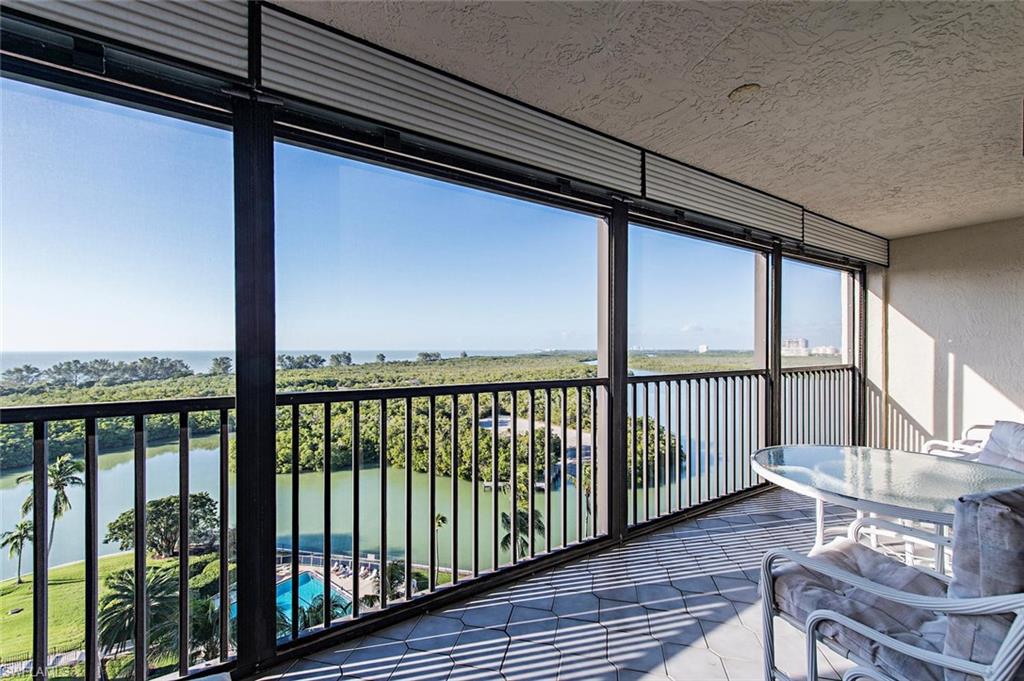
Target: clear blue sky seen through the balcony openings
<point x="116" y="235"/>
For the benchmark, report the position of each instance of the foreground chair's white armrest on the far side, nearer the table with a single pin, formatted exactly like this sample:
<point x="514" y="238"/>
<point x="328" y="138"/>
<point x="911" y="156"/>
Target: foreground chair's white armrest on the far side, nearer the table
<point x="983" y="606"/>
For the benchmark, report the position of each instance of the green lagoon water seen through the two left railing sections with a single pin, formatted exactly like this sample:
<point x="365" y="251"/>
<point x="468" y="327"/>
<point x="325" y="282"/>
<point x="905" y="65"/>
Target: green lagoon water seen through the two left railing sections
<point x="116" y="496"/>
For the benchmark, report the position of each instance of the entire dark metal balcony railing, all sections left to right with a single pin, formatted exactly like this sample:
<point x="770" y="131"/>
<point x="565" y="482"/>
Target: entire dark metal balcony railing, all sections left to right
<point x="517" y="467"/>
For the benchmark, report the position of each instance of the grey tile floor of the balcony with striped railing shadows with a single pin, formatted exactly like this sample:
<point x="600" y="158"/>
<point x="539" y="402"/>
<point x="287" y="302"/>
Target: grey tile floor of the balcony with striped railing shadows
<point x="681" y="605"/>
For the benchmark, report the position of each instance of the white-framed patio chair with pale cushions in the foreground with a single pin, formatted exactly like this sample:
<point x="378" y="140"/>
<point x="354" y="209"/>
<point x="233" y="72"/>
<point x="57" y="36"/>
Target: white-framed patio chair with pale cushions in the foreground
<point x="900" y="623"/>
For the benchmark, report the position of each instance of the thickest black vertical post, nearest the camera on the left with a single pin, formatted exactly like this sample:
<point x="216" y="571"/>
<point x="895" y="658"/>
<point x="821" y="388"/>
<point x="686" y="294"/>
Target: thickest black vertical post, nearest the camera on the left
<point x="254" y="329"/>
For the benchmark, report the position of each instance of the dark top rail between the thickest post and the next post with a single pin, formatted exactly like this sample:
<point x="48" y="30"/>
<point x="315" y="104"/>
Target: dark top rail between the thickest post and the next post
<point x="366" y="395"/>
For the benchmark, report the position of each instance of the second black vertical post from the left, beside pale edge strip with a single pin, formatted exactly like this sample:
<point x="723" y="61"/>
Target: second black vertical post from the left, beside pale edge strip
<point x="613" y="264"/>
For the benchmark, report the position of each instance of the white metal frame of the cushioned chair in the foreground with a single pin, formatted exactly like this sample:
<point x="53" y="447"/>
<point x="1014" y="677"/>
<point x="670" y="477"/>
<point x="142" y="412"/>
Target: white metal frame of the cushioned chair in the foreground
<point x="1004" y="666"/>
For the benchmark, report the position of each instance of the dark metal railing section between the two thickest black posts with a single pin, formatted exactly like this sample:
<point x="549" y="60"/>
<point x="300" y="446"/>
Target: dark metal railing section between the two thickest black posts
<point x="522" y="440"/>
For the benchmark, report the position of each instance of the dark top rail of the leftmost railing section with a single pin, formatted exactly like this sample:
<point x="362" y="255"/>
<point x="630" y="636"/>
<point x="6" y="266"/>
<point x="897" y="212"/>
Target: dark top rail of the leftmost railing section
<point x="12" y="415"/>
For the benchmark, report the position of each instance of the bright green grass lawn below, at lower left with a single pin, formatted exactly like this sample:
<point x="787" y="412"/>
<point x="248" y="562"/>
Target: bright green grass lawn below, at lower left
<point x="67" y="607"/>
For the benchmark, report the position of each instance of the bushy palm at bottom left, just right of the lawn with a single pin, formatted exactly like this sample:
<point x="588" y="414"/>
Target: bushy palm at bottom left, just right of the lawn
<point x="117" y="613"/>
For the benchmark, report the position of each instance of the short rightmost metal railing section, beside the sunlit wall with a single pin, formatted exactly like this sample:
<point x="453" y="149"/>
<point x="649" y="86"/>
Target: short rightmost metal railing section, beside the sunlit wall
<point x="819" y="405"/>
